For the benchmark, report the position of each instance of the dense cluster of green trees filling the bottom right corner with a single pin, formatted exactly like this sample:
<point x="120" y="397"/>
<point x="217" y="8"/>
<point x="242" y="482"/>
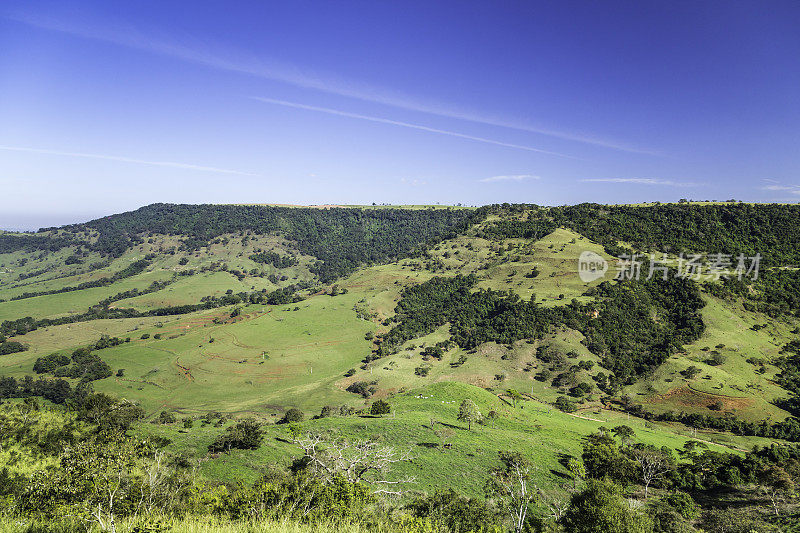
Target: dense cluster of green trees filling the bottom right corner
<point x="738" y="493"/>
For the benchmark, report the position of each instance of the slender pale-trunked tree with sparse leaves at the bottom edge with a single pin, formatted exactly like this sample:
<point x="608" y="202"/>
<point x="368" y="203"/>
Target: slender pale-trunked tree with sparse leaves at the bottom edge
<point x="510" y="485"/>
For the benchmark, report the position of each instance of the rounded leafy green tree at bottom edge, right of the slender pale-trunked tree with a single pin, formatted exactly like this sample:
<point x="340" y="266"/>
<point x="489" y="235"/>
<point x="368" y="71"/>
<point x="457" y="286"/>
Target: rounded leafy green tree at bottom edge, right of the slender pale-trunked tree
<point x="602" y="507"/>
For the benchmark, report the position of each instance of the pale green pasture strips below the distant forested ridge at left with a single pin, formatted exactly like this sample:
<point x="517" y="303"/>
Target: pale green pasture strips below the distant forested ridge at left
<point x="230" y="252"/>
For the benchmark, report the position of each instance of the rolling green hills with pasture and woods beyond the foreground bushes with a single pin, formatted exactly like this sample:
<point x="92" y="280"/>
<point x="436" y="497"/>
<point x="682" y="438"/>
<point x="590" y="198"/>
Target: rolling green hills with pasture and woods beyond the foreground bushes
<point x="206" y="315"/>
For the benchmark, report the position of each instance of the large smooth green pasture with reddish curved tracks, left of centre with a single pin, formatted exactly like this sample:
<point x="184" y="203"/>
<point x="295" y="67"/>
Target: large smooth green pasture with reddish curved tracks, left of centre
<point x="267" y="359"/>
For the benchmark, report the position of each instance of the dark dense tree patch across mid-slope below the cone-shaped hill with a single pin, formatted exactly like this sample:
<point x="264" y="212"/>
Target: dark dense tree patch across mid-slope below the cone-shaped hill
<point x="633" y="326"/>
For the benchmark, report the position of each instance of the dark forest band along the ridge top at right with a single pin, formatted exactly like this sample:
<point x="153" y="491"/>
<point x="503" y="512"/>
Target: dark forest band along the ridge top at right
<point x="770" y="230"/>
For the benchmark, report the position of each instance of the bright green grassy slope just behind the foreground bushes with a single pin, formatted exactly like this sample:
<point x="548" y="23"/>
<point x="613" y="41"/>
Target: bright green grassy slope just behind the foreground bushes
<point x="424" y="420"/>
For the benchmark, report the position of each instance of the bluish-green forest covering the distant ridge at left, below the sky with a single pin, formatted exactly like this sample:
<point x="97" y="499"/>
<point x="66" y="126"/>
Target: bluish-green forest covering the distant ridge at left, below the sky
<point x="342" y="239"/>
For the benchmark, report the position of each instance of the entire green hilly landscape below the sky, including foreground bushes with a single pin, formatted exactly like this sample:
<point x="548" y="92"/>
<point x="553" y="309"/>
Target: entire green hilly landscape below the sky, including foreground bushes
<point x="228" y="351"/>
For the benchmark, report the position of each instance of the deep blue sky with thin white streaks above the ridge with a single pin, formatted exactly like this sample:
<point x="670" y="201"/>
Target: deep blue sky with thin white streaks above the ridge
<point x="107" y="106"/>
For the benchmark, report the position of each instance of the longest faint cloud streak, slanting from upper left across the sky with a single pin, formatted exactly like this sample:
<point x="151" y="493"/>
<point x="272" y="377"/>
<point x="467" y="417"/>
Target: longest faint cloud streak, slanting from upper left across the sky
<point x="220" y="57"/>
